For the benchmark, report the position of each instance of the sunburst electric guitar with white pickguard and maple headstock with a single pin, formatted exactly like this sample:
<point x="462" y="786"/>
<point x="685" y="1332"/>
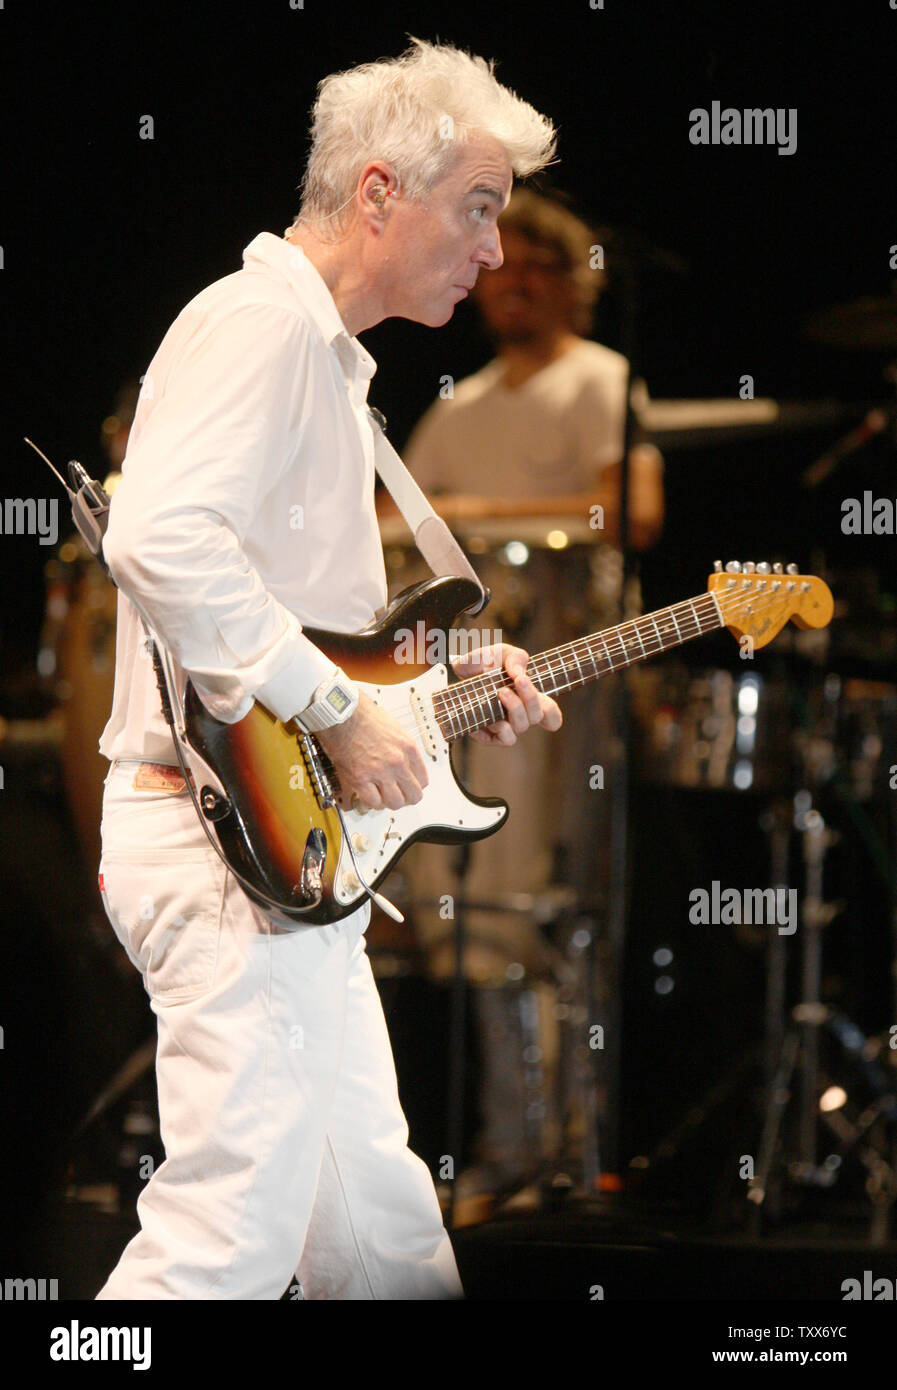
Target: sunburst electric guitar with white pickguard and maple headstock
<point x="272" y="796"/>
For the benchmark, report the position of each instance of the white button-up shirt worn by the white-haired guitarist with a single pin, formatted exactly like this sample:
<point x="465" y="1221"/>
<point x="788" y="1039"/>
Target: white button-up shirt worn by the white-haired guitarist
<point x="247" y="501"/>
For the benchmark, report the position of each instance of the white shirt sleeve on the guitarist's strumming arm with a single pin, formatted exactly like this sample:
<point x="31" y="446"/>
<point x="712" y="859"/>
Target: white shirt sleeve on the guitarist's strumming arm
<point x="212" y="441"/>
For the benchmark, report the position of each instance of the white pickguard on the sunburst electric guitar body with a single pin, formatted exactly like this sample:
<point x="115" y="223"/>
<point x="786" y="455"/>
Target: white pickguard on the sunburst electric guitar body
<point x="378" y="836"/>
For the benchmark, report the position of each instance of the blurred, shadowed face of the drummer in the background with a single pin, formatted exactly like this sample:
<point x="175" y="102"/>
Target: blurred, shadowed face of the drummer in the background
<point x="529" y="297"/>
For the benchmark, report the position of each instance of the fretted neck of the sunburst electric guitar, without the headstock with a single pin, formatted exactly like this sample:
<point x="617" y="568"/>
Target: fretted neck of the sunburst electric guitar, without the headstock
<point x="472" y="704"/>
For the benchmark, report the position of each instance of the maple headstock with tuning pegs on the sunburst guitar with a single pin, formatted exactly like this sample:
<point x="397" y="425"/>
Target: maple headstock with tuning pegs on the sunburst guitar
<point x="759" y="600"/>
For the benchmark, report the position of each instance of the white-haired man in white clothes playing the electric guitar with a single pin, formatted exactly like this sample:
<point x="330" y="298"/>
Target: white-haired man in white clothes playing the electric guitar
<point x="286" y="1145"/>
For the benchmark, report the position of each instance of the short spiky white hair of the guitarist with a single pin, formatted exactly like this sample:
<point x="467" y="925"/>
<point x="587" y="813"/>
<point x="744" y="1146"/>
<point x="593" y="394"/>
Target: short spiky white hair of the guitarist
<point x="412" y="112"/>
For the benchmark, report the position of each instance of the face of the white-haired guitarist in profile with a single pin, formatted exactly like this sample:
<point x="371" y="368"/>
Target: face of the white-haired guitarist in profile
<point x="435" y="250"/>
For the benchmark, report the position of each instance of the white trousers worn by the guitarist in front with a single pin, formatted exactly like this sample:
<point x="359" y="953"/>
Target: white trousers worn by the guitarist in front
<point x="286" y="1145"/>
